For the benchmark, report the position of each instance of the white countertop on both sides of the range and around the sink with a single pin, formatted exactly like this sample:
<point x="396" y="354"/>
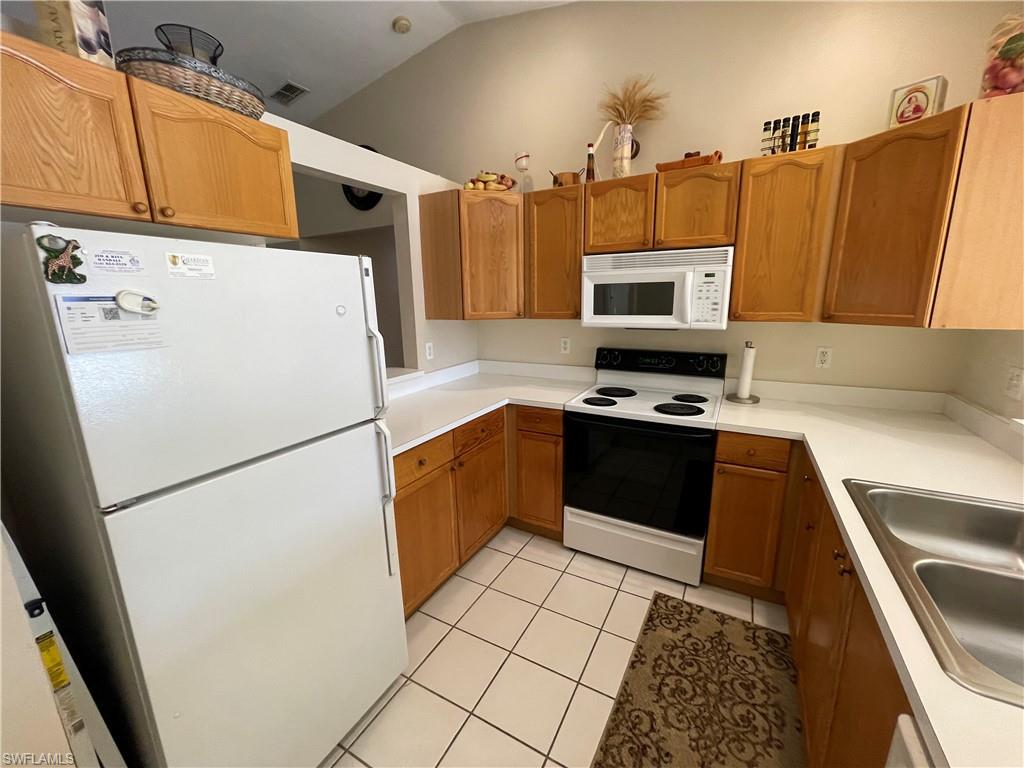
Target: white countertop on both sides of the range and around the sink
<point x="905" y="448"/>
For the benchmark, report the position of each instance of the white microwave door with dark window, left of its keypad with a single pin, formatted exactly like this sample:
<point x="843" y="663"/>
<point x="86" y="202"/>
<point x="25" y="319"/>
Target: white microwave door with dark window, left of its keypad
<point x="637" y="298"/>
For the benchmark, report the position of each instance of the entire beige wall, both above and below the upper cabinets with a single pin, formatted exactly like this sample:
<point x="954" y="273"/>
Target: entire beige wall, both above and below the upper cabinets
<point x="532" y="82"/>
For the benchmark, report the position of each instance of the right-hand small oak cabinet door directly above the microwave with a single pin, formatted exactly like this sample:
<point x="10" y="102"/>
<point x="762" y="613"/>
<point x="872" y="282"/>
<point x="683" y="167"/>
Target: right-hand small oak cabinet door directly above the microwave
<point x="698" y="206"/>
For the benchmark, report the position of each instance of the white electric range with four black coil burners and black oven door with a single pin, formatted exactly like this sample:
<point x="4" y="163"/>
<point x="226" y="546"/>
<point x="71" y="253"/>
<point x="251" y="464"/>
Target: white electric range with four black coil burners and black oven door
<point x="639" y="455"/>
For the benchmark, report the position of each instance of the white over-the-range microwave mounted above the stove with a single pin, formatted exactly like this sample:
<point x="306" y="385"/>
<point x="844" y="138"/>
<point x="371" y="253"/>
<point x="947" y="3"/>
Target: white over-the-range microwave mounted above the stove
<point x="658" y="289"/>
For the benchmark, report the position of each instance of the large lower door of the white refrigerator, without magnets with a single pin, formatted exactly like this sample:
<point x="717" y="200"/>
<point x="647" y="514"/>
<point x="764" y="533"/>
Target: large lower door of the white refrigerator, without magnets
<point x="262" y="607"/>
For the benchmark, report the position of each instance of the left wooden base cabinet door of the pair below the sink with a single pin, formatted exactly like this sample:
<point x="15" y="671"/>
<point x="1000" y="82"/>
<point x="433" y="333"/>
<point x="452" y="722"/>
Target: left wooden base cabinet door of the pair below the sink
<point x="826" y="613"/>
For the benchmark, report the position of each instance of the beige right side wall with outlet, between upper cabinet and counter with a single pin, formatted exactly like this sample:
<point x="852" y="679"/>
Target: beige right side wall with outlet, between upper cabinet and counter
<point x="986" y="367"/>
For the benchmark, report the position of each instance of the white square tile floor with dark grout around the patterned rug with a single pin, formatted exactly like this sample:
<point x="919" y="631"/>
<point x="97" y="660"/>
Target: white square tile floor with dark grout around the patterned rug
<point x="517" y="660"/>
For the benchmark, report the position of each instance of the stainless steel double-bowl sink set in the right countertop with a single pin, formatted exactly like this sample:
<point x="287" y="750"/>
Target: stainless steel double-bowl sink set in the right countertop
<point x="960" y="563"/>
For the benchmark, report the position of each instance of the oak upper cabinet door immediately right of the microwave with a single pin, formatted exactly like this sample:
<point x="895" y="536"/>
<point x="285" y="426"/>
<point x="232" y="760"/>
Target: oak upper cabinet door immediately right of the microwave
<point x="787" y="211"/>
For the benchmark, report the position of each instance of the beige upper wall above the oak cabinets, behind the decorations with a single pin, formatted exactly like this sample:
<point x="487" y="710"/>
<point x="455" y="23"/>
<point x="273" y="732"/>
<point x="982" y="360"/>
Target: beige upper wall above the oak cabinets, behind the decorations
<point x="532" y="82"/>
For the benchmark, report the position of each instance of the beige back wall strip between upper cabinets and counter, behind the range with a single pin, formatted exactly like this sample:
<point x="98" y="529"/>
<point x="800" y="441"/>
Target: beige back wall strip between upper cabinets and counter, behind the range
<point x="863" y="356"/>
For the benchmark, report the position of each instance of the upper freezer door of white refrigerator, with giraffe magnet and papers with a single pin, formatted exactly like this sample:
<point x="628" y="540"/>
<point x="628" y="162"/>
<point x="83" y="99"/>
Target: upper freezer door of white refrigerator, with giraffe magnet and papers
<point x="204" y="356"/>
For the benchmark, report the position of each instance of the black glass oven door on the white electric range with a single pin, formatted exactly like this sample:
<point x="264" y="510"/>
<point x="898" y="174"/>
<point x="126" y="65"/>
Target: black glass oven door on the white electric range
<point x="656" y="476"/>
